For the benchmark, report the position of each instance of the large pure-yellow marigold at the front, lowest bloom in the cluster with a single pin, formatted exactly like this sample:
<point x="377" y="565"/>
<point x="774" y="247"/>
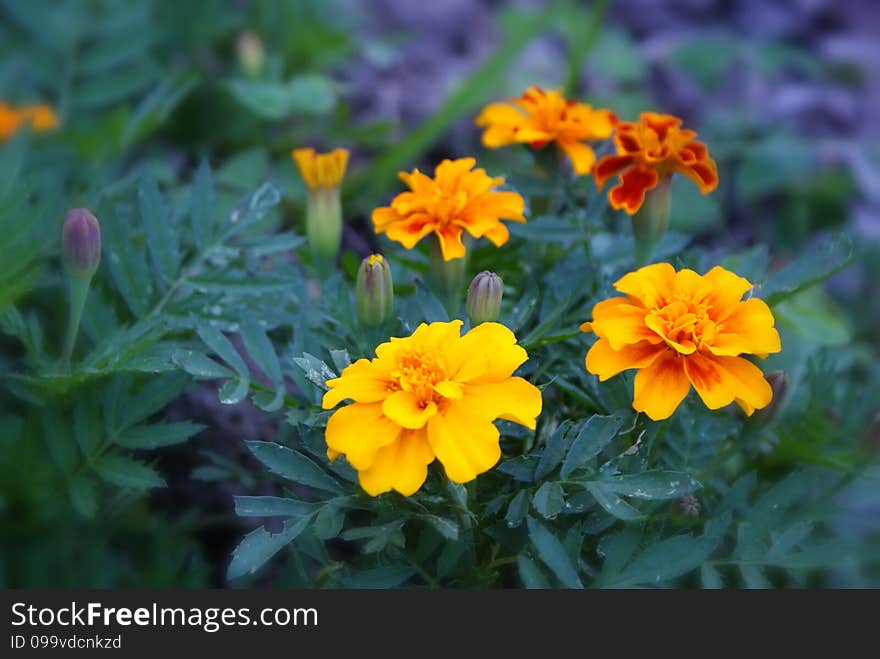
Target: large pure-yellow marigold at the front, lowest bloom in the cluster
<point x="431" y="395"/>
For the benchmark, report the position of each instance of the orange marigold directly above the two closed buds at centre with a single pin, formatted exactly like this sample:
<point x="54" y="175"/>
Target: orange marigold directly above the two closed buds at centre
<point x="458" y="198"/>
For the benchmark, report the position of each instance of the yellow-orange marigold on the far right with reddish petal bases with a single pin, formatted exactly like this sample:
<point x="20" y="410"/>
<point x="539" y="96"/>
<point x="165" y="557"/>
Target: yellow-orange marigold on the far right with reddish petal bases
<point x="681" y="329"/>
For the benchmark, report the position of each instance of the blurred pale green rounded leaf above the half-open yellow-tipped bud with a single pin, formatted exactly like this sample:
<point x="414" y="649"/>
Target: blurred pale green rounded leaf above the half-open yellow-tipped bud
<point x="308" y="94"/>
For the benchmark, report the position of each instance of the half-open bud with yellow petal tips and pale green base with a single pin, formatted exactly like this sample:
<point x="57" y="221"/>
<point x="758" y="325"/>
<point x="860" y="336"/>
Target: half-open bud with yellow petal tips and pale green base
<point x="323" y="174"/>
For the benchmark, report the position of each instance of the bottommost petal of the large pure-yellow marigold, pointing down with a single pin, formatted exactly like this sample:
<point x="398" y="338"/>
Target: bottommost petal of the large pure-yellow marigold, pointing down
<point x="400" y="466"/>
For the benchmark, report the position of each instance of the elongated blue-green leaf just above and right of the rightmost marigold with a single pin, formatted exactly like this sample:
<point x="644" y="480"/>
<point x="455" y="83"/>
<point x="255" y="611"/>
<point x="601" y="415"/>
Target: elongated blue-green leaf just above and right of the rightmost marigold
<point x="814" y="266"/>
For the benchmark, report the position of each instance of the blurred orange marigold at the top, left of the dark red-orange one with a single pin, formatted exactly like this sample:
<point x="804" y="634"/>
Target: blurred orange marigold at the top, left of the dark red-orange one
<point x="539" y="117"/>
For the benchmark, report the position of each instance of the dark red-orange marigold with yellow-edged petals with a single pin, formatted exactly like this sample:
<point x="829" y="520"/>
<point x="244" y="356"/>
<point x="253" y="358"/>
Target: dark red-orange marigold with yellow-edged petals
<point x="647" y="150"/>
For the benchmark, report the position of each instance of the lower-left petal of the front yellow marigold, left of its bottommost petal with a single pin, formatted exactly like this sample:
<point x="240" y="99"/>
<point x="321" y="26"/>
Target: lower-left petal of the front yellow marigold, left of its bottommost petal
<point x="358" y="431"/>
